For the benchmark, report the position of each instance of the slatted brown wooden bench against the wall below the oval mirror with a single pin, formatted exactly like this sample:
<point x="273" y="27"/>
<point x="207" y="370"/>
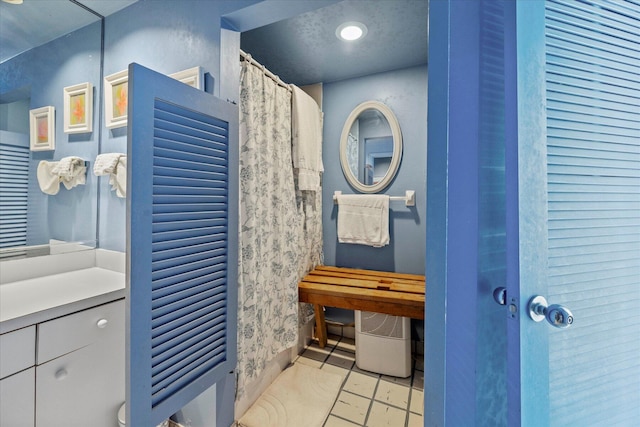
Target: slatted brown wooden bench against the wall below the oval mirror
<point x="397" y="294"/>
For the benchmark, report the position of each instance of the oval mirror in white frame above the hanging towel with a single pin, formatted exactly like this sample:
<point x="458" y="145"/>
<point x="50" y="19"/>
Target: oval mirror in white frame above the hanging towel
<point x="370" y="147"/>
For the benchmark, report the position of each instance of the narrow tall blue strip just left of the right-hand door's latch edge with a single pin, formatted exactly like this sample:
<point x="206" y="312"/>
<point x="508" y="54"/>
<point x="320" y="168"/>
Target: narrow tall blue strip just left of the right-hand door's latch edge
<point x="491" y="401"/>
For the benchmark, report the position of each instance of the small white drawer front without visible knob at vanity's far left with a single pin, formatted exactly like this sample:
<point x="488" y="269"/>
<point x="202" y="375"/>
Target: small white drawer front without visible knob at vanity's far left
<point x="17" y="350"/>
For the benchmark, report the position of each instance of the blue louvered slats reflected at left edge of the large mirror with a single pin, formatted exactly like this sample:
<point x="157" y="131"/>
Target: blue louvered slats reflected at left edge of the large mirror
<point x="14" y="186"/>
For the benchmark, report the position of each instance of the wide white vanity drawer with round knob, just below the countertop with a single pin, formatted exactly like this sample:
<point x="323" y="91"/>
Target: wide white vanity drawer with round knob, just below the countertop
<point x="66" y="334"/>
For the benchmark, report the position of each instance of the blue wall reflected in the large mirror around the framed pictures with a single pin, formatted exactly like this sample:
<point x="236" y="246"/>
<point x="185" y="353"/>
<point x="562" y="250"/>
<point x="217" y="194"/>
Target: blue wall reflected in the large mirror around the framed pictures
<point x="41" y="74"/>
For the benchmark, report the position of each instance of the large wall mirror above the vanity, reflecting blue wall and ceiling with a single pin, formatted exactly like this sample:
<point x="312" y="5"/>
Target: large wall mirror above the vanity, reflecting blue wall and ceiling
<point x="35" y="67"/>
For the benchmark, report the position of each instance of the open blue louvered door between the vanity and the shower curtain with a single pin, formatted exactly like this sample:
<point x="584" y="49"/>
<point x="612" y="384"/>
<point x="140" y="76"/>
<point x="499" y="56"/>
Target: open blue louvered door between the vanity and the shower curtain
<point x="182" y="212"/>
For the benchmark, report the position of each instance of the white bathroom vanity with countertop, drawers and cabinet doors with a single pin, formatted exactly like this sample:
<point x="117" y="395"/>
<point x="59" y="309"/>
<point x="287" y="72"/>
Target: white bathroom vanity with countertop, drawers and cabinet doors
<point x="62" y="339"/>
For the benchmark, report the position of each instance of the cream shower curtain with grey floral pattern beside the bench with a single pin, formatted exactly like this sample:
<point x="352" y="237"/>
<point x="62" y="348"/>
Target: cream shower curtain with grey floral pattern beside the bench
<point x="277" y="243"/>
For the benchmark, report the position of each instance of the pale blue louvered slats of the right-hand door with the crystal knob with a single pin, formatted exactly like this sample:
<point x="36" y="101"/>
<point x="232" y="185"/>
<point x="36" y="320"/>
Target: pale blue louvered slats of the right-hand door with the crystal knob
<point x="593" y="172"/>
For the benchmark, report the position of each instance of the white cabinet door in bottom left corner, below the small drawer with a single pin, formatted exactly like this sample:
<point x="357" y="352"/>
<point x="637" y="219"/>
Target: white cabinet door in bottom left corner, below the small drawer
<point x="17" y="402"/>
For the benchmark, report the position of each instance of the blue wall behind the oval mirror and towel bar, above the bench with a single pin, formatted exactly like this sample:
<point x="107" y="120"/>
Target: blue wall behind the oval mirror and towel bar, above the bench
<point x="405" y="92"/>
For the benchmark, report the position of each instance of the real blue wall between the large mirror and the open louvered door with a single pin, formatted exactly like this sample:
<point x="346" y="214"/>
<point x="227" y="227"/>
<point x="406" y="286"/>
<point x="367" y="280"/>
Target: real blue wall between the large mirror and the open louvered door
<point x="166" y="36"/>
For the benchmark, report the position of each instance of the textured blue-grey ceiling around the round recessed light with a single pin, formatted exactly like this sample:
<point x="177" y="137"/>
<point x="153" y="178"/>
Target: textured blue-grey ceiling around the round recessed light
<point x="305" y="50"/>
